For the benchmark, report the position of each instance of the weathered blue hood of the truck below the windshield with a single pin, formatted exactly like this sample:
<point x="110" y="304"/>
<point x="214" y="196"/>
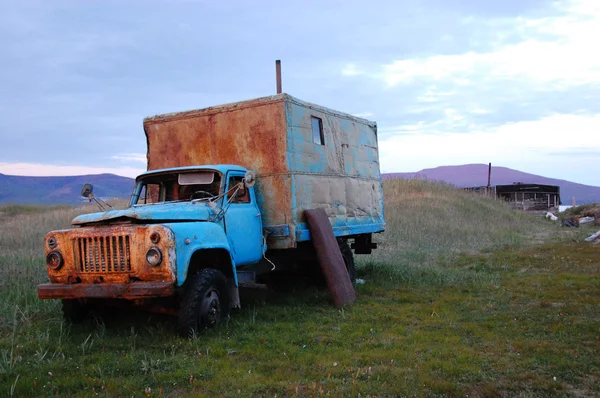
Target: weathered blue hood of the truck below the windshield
<point x="178" y="211"/>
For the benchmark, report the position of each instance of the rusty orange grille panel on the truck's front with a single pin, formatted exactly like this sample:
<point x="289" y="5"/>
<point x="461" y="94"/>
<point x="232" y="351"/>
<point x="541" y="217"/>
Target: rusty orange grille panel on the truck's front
<point x="111" y="254"/>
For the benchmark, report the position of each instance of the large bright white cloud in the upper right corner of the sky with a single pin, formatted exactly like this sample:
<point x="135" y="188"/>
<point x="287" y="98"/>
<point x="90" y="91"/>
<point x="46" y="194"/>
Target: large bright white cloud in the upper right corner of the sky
<point x="558" y="53"/>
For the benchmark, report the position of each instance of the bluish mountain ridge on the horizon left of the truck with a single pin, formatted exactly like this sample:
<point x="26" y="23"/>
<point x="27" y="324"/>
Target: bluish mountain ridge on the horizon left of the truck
<point x="61" y="190"/>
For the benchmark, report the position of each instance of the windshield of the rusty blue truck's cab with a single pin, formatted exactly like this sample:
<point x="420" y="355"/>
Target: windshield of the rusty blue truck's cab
<point x="171" y="187"/>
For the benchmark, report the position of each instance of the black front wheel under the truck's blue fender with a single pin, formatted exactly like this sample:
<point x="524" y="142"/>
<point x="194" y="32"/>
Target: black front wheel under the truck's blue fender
<point x="205" y="302"/>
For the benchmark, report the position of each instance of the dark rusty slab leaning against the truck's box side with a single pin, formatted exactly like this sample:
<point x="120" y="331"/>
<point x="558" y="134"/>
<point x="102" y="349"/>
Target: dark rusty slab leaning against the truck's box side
<point x="330" y="258"/>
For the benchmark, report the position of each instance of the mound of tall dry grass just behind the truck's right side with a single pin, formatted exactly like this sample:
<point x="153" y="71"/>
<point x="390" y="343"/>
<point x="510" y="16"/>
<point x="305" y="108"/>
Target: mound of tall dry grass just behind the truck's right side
<point x="430" y="224"/>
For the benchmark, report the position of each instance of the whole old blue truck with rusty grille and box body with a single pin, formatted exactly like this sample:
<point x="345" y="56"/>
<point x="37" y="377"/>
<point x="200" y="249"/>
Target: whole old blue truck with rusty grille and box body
<point x="222" y="206"/>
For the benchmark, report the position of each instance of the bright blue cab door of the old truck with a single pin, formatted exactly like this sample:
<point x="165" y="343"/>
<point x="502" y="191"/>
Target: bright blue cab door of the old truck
<point x="243" y="224"/>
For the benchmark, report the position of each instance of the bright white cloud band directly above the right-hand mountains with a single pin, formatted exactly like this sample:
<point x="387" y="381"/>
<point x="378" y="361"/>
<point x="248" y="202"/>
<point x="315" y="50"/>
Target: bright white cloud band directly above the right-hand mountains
<point x="528" y="145"/>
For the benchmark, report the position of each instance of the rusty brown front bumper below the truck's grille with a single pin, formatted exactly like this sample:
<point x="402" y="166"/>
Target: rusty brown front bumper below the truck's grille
<point x="131" y="291"/>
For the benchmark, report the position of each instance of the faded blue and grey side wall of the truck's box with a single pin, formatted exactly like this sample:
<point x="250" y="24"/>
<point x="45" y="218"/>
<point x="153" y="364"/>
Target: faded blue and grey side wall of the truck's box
<point x="348" y="158"/>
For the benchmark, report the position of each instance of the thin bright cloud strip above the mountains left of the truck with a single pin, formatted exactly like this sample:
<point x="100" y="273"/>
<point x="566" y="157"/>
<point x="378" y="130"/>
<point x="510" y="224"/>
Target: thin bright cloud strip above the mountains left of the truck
<point x="34" y="169"/>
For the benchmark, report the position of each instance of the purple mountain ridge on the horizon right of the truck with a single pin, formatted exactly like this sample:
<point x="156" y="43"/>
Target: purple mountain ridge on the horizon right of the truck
<point x="473" y="175"/>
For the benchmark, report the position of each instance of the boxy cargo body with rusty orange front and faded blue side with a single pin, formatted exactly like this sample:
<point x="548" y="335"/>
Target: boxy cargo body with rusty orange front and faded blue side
<point x="273" y="137"/>
